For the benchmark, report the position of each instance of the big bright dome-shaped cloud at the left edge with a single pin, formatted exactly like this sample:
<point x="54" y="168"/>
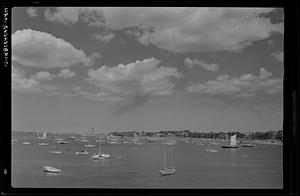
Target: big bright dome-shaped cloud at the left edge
<point x="40" y="49"/>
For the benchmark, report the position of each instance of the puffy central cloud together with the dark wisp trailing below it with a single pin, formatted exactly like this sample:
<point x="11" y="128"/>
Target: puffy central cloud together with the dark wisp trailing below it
<point x="133" y="84"/>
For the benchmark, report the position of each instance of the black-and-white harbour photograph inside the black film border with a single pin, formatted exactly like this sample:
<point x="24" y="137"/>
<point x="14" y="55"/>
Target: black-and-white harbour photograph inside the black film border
<point x="147" y="97"/>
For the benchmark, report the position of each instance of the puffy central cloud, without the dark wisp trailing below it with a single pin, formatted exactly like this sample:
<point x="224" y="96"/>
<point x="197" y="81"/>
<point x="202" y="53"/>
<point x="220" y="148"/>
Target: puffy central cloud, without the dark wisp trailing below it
<point x="134" y="79"/>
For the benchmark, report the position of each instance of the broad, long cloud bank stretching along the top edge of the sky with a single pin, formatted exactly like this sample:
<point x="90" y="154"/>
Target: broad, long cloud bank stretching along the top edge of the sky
<point x="180" y="29"/>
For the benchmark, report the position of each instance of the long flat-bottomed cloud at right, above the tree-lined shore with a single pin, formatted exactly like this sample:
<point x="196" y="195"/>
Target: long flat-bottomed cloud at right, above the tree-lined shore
<point x="246" y="85"/>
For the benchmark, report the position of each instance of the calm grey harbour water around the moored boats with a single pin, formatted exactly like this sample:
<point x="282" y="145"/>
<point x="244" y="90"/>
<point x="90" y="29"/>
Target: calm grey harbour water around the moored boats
<point x="138" y="166"/>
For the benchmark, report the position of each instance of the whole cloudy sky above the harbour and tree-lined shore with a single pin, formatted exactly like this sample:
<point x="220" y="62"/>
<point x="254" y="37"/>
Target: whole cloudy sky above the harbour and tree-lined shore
<point x="147" y="69"/>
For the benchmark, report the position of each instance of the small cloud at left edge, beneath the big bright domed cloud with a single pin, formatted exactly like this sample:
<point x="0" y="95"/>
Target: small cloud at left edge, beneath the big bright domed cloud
<point x="23" y="84"/>
